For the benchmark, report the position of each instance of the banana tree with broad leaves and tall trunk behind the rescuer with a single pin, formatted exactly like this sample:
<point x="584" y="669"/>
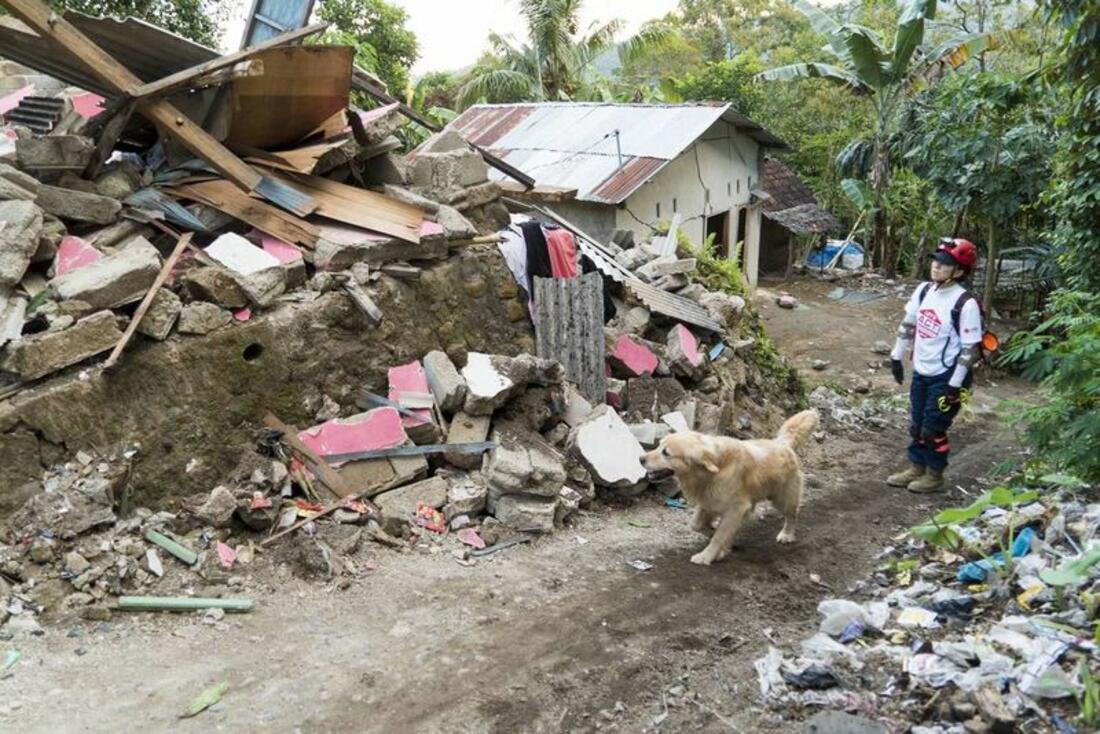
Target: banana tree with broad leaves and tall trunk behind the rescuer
<point x="888" y="78"/>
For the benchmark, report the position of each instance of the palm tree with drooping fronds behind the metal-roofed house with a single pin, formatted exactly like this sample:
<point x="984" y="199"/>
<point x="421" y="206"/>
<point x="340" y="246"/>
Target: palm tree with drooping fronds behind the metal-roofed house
<point x="557" y="63"/>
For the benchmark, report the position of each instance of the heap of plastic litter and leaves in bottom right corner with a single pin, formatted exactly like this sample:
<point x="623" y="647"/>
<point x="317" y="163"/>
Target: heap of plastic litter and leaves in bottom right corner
<point x="984" y="621"/>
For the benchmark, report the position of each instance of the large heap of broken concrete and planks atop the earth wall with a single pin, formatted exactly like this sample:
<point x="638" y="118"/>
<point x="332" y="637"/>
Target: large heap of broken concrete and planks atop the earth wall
<point x="115" y="226"/>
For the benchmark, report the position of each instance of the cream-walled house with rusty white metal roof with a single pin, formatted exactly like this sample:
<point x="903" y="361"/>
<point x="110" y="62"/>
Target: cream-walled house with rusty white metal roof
<point x="632" y="167"/>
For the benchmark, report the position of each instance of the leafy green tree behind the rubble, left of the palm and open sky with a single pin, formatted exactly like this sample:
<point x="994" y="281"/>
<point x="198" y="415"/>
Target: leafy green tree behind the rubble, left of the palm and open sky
<point x="380" y="27"/>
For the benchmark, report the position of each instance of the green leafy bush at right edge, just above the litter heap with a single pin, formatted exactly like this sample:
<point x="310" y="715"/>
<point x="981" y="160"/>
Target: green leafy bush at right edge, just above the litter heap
<point x="1064" y="355"/>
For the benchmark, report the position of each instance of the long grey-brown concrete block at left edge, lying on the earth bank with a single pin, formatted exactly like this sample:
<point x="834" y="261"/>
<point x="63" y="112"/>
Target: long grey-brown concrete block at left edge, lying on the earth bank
<point x="43" y="354"/>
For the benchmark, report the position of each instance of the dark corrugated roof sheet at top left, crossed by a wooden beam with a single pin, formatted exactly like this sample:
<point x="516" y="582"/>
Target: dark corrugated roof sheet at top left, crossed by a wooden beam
<point x="148" y="51"/>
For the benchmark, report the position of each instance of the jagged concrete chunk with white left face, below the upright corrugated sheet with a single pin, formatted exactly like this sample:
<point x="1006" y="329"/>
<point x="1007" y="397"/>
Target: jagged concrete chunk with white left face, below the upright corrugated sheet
<point x="492" y="380"/>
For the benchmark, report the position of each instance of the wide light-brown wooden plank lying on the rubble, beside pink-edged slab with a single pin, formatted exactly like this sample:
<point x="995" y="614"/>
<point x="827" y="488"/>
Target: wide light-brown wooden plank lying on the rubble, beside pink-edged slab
<point x="360" y="207"/>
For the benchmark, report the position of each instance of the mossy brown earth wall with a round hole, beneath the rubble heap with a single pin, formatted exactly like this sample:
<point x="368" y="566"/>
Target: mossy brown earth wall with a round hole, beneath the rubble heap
<point x="194" y="403"/>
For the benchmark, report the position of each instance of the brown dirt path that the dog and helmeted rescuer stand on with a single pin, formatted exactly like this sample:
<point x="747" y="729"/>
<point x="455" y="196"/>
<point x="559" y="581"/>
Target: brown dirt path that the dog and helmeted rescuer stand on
<point x="562" y="636"/>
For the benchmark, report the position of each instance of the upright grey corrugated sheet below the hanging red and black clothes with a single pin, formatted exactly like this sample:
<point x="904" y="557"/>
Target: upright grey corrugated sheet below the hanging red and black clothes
<point x="570" y="330"/>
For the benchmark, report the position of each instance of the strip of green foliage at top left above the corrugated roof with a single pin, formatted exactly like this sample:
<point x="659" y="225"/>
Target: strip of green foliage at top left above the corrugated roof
<point x="199" y="20"/>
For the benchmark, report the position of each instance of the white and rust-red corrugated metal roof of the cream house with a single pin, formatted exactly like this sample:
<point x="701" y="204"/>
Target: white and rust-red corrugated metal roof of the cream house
<point x="603" y="151"/>
